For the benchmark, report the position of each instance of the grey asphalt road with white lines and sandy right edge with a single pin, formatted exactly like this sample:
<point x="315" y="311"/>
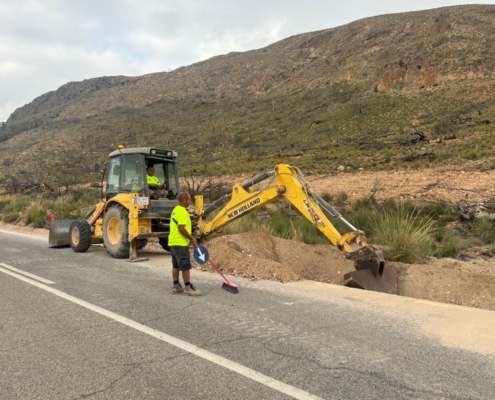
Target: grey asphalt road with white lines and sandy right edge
<point x="86" y="326"/>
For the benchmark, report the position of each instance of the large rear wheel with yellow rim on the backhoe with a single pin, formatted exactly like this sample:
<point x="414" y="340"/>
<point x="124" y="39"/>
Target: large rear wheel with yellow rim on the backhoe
<point x="115" y="231"/>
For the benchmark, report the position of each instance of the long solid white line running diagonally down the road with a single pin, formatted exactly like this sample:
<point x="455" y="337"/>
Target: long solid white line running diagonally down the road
<point x="190" y="348"/>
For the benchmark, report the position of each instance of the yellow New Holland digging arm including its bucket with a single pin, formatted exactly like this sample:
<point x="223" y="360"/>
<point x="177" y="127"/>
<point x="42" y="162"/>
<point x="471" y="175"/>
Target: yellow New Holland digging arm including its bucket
<point x="371" y="272"/>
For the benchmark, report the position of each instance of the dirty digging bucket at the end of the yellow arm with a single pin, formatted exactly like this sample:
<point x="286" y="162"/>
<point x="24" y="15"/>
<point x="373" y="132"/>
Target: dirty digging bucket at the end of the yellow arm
<point x="371" y="272"/>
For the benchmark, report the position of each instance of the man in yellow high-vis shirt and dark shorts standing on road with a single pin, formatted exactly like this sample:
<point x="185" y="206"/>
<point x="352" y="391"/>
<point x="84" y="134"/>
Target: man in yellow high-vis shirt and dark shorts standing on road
<point x="178" y="240"/>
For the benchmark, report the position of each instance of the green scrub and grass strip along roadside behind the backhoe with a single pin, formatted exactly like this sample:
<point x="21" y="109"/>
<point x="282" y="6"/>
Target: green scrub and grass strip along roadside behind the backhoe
<point x="405" y="232"/>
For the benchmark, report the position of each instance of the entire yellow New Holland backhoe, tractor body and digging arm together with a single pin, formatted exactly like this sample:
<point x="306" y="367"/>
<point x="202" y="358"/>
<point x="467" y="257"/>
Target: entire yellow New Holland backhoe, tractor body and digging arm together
<point x="127" y="216"/>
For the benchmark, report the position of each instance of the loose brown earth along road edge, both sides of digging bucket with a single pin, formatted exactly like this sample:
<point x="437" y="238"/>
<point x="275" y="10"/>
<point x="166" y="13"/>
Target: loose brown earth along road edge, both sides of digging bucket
<point x="257" y="255"/>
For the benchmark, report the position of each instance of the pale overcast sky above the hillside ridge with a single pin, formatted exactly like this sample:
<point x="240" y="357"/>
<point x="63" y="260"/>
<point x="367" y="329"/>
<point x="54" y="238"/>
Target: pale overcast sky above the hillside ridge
<point x="47" y="43"/>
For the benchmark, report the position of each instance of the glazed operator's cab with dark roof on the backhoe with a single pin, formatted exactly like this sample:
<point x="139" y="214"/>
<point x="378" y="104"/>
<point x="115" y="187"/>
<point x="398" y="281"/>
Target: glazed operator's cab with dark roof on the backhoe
<point x="127" y="174"/>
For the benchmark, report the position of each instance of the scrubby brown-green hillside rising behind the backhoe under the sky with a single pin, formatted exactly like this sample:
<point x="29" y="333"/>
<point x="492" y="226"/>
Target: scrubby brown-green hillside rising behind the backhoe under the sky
<point x="355" y="95"/>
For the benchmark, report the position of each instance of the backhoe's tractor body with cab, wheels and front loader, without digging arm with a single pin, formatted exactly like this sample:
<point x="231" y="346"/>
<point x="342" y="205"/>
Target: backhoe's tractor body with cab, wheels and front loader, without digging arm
<point x="126" y="217"/>
